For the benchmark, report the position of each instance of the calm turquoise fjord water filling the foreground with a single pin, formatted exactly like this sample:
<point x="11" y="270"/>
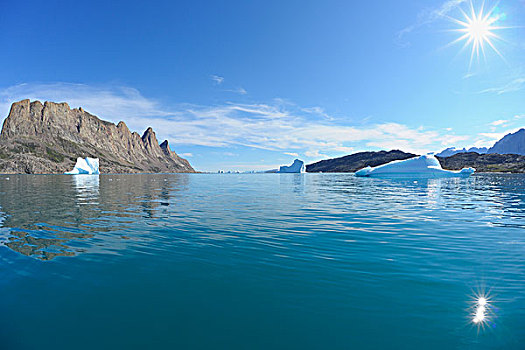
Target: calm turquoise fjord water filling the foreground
<point x="290" y="261"/>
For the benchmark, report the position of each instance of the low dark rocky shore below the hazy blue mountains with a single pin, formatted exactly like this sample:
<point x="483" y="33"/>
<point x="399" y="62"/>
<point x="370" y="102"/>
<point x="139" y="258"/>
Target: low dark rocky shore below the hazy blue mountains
<point x="513" y="163"/>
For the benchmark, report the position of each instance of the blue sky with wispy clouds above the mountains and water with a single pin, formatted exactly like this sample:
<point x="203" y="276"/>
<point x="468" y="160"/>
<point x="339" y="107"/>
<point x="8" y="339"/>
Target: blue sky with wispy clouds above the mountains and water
<point x="241" y="85"/>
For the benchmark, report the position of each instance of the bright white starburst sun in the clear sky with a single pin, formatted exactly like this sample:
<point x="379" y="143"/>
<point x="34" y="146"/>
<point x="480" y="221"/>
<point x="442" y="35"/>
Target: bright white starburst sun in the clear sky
<point x="477" y="30"/>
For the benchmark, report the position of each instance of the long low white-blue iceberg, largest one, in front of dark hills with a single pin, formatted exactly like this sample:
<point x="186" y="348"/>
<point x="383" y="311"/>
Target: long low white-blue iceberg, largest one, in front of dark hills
<point x="422" y="166"/>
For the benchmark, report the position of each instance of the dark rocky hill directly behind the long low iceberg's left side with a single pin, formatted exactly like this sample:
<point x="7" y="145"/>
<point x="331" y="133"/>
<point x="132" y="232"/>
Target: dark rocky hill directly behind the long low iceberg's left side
<point x="356" y="161"/>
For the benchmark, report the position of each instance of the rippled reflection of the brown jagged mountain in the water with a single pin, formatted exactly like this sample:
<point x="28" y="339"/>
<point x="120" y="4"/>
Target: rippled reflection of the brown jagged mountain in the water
<point x="50" y="216"/>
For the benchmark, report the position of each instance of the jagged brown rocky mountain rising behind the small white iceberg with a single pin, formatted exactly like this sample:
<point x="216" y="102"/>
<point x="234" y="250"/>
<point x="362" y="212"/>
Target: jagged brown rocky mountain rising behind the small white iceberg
<point x="46" y="138"/>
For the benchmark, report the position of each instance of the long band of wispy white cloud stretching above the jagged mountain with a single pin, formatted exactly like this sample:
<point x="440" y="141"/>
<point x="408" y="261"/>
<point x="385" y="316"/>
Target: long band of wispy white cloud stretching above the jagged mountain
<point x="277" y="126"/>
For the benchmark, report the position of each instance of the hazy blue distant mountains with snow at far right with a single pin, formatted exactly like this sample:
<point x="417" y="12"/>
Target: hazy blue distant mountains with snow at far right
<point x="513" y="143"/>
